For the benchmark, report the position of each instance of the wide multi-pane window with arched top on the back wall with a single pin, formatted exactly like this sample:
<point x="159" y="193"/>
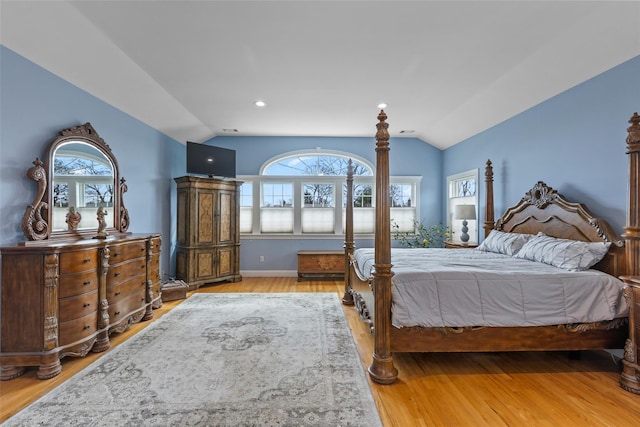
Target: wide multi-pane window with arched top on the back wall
<point x="304" y="193"/>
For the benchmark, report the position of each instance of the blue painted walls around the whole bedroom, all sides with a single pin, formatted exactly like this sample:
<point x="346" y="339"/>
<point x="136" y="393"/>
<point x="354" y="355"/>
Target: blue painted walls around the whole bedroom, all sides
<point x="575" y="142"/>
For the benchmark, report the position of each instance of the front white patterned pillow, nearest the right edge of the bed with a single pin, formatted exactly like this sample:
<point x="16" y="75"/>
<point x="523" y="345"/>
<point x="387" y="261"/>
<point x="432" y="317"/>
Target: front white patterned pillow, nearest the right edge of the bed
<point x="572" y="255"/>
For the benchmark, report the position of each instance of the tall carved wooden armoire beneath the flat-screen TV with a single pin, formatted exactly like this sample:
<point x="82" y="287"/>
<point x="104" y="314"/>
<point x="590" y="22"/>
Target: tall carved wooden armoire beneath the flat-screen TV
<point x="208" y="241"/>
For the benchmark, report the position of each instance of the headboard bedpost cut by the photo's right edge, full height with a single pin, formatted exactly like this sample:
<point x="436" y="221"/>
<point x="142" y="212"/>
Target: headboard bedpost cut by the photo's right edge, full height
<point x="630" y="377"/>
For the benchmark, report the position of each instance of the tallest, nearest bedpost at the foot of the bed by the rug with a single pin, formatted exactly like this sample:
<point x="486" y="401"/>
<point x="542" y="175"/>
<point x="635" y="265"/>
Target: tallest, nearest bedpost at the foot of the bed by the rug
<point x="382" y="370"/>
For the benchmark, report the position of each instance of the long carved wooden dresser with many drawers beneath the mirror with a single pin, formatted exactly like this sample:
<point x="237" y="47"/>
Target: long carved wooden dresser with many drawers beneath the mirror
<point x="64" y="299"/>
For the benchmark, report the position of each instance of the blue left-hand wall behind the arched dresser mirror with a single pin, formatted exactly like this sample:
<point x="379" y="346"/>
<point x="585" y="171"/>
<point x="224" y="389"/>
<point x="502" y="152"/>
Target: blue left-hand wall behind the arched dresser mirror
<point x="35" y="105"/>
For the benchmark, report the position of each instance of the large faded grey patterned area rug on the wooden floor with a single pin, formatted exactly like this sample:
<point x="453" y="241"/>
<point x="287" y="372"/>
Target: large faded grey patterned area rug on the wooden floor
<point x="223" y="360"/>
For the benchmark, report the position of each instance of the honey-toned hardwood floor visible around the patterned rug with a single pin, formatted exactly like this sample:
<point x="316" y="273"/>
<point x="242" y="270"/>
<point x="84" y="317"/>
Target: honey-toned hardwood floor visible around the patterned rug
<point x="460" y="389"/>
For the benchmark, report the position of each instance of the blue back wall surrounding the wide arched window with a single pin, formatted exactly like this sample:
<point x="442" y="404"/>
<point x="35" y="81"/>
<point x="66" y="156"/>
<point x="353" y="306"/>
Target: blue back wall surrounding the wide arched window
<point x="408" y="156"/>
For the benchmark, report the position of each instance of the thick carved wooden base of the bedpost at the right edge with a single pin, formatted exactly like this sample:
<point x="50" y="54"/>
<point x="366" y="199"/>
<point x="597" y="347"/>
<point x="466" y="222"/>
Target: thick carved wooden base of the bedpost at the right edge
<point x="630" y="378"/>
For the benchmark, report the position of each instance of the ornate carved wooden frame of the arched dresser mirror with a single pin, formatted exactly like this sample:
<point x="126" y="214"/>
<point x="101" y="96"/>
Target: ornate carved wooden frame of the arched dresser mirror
<point x="38" y="218"/>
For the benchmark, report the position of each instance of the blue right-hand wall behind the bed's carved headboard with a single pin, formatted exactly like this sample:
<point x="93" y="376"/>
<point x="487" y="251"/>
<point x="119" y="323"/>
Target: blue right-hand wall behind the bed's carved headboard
<point x="574" y="142"/>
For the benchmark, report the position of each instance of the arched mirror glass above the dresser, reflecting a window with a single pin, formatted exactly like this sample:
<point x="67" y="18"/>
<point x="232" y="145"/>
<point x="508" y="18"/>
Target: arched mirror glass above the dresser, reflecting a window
<point x="83" y="181"/>
